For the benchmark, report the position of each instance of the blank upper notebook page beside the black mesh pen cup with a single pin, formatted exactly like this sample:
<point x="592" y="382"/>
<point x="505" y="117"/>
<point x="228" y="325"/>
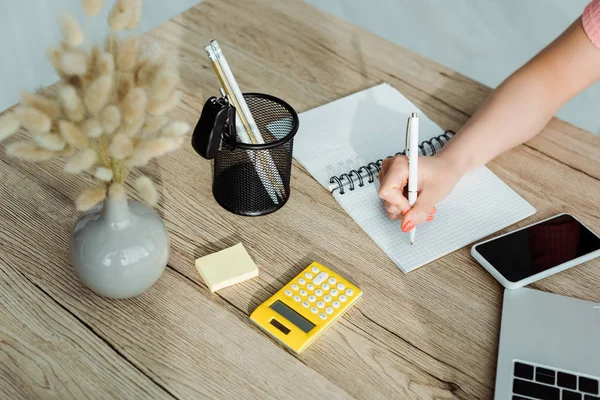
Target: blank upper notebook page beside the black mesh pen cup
<point x="353" y="131"/>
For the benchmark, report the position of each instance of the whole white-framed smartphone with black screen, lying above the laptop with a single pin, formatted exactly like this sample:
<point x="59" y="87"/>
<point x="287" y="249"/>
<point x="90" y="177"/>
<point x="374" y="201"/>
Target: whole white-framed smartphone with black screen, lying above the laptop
<point x="529" y="254"/>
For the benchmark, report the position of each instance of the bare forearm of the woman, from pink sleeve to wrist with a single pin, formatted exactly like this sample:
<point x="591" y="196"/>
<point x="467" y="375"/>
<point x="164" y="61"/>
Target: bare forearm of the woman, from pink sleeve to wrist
<point x="522" y="105"/>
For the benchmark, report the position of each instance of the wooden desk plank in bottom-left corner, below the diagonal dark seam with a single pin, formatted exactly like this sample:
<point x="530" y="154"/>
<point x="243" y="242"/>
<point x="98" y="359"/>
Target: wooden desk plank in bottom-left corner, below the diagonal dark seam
<point x="48" y="354"/>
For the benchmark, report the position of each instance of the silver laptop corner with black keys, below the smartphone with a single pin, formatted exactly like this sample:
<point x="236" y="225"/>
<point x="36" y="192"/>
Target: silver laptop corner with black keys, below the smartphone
<point x="549" y="347"/>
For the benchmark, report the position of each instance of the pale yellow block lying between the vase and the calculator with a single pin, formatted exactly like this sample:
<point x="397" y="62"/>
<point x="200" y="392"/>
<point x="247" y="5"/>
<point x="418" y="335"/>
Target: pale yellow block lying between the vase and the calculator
<point x="226" y="267"/>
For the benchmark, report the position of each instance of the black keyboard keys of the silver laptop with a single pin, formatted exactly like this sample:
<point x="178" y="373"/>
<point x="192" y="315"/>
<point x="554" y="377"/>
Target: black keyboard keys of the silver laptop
<point x="542" y="383"/>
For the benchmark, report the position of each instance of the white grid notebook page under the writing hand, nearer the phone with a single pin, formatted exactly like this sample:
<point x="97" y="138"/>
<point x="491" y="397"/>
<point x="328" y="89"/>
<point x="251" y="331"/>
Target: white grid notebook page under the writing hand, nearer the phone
<point x="479" y="205"/>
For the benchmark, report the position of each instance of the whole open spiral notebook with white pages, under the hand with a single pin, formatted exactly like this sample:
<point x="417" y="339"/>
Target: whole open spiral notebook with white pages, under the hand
<point x="342" y="145"/>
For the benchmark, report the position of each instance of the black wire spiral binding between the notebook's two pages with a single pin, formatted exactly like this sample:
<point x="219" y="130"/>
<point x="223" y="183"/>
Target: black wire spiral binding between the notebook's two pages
<point x="427" y="147"/>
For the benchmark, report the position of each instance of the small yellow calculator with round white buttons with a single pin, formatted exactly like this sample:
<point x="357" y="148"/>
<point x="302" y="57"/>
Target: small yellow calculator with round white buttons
<point x="304" y="308"/>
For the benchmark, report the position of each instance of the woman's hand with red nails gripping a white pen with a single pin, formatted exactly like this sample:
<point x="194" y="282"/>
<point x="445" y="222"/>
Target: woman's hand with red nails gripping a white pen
<point x="437" y="178"/>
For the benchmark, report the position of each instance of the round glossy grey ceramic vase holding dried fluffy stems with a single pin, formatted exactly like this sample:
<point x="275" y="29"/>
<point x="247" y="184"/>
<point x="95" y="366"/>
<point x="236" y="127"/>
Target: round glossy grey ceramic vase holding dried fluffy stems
<point x="120" y="248"/>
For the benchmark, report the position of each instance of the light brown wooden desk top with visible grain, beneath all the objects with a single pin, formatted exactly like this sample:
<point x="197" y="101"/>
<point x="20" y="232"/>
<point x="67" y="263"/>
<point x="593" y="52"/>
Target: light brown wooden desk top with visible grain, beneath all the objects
<point x="432" y="333"/>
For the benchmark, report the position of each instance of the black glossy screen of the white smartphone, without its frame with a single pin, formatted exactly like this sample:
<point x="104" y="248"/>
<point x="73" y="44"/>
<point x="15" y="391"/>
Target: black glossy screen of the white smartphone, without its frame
<point x="539" y="247"/>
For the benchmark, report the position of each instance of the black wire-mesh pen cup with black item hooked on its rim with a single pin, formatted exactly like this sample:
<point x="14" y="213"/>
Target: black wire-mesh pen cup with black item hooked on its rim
<point x="248" y="179"/>
